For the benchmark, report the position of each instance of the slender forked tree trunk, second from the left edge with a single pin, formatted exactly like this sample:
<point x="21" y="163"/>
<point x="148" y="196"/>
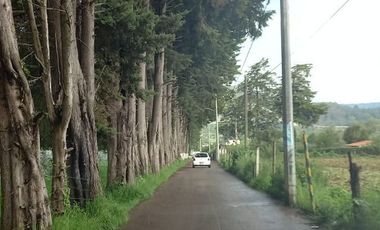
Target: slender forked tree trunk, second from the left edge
<point x="58" y="94"/>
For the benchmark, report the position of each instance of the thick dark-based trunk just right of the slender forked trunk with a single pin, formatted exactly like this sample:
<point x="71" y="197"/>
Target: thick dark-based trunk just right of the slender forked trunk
<point x="84" y="170"/>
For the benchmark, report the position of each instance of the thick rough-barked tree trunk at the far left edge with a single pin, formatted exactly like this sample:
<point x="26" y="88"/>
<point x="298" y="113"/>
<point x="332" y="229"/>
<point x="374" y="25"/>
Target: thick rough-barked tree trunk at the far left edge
<point x="24" y="205"/>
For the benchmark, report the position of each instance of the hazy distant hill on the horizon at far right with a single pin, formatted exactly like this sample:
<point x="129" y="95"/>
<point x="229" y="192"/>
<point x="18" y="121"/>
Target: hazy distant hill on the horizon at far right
<point x="344" y="114"/>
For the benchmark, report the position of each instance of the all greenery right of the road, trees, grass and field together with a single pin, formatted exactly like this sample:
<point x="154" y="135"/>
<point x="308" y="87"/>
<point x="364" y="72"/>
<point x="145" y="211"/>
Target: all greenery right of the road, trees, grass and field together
<point x="346" y="193"/>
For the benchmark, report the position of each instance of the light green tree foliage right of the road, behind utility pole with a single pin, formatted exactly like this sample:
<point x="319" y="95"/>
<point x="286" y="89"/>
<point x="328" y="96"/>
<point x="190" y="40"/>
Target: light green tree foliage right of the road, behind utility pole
<point x="265" y="106"/>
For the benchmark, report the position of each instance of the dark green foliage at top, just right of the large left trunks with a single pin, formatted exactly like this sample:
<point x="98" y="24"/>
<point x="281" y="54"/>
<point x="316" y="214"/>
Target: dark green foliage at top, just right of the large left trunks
<point x="132" y="27"/>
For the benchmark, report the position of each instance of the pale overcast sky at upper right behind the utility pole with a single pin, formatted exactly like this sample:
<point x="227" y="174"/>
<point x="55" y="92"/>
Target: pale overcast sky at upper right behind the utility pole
<point x="345" y="52"/>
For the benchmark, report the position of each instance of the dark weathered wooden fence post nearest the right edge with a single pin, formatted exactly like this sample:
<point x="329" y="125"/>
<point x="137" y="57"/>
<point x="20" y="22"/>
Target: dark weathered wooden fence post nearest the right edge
<point x="355" y="190"/>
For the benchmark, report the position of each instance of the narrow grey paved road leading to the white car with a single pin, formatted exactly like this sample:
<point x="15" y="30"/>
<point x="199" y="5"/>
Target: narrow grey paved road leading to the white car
<point x="210" y="198"/>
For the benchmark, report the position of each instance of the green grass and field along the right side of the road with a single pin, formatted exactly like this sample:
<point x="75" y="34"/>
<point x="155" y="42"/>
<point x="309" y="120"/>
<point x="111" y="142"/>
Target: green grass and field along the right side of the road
<point x="331" y="187"/>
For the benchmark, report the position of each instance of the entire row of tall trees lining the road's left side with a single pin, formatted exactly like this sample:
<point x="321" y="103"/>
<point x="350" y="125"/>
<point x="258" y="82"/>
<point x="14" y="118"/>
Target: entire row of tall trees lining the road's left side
<point x="134" y="76"/>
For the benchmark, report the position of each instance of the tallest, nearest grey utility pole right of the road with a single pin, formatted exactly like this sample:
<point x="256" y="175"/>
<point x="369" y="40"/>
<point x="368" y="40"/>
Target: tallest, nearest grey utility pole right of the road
<point x="288" y="129"/>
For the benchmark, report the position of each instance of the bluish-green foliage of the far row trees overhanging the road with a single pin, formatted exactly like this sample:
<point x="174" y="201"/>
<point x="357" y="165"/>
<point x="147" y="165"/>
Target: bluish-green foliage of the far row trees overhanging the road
<point x="210" y="38"/>
